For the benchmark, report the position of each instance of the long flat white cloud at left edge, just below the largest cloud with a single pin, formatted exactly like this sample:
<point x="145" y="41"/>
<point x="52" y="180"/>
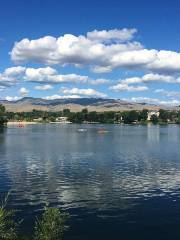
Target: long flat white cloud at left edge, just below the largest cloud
<point x="14" y="75"/>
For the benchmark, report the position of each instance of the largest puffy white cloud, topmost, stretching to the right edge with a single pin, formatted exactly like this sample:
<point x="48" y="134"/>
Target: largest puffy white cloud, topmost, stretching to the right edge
<point x="102" y="51"/>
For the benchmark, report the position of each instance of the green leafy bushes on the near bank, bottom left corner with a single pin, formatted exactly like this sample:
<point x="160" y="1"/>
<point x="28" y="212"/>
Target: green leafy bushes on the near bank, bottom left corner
<point x="51" y="226"/>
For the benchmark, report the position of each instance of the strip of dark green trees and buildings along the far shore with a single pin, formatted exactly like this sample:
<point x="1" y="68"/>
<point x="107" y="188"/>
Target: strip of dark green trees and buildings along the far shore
<point x="66" y="116"/>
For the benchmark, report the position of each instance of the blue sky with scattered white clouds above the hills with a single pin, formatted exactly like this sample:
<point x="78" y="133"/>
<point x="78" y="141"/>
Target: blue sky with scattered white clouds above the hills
<point x="117" y="49"/>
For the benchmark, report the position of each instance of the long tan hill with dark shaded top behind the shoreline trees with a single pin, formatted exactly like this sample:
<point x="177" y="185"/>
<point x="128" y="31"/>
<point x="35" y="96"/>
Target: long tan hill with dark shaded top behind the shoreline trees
<point x="75" y="104"/>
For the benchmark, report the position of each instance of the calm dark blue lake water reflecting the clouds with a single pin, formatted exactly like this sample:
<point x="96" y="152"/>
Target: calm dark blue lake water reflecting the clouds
<point x="123" y="184"/>
